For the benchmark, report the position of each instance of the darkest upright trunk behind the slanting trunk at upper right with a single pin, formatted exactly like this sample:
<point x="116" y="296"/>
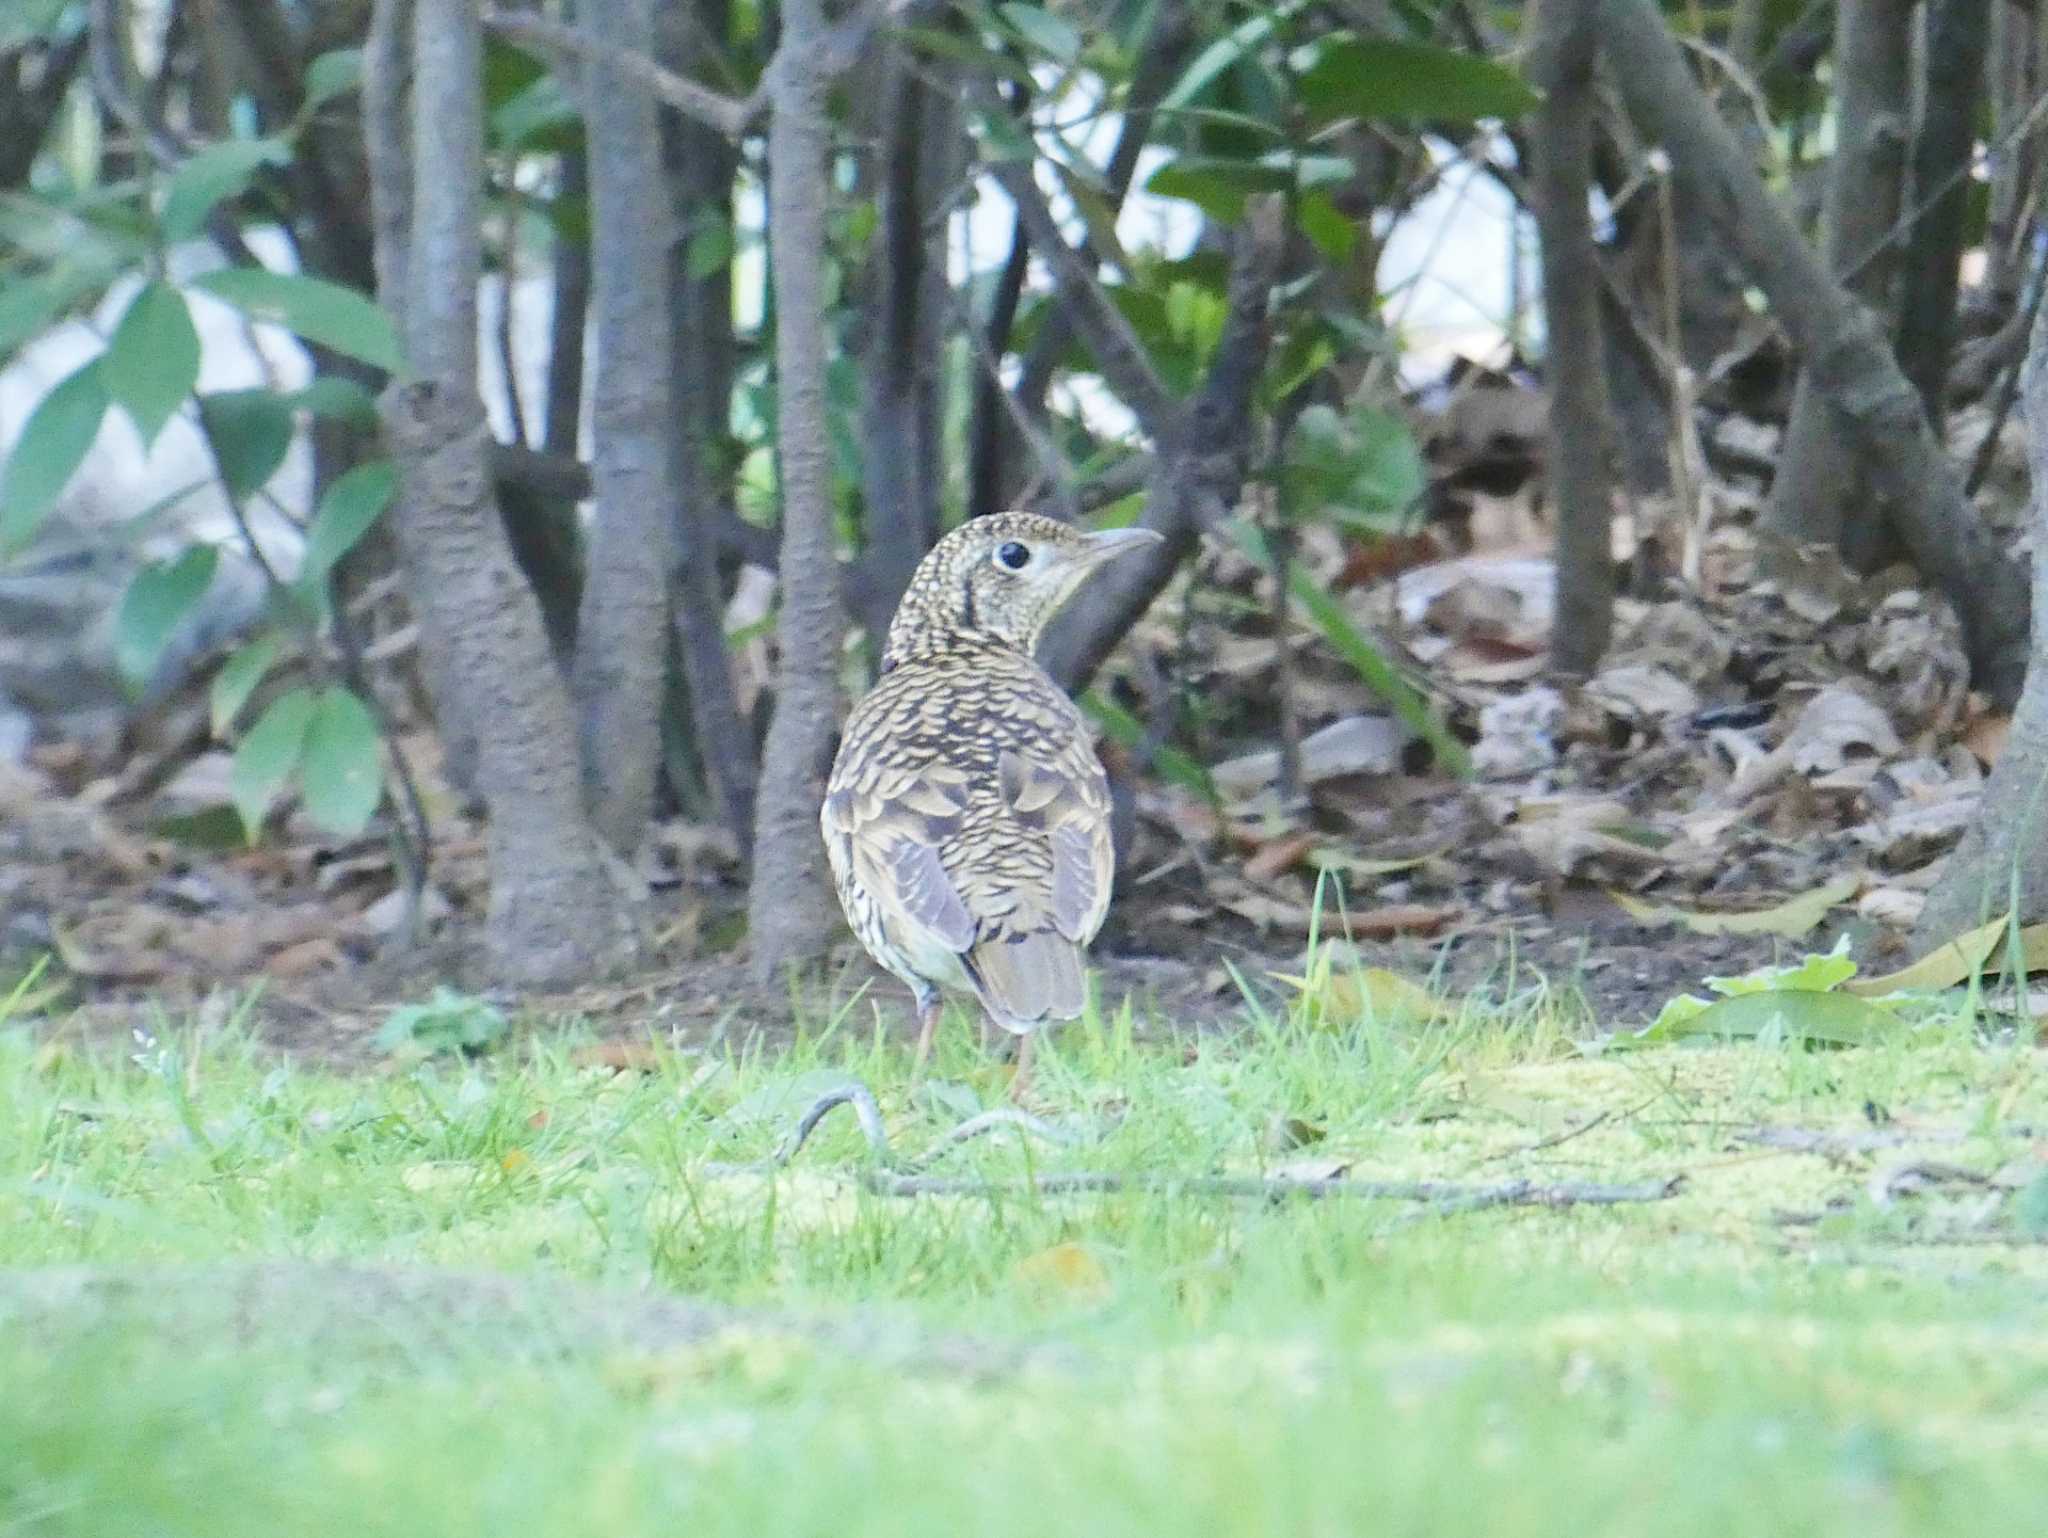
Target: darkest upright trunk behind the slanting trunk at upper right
<point x="1959" y="36"/>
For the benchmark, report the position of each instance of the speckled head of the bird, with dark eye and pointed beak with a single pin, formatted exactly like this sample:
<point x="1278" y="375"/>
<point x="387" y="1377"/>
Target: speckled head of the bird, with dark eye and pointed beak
<point x="1002" y="576"/>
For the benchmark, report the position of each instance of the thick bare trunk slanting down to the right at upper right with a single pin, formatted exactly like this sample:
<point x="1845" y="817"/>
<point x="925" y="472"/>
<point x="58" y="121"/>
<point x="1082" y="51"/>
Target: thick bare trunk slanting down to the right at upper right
<point x="1840" y="343"/>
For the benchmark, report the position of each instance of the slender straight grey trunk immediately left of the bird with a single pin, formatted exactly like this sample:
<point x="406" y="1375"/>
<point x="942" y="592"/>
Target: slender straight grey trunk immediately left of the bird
<point x="790" y="904"/>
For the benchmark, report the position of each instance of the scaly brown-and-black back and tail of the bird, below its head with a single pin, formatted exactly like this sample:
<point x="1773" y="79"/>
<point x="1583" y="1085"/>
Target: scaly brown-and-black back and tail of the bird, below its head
<point x="970" y="830"/>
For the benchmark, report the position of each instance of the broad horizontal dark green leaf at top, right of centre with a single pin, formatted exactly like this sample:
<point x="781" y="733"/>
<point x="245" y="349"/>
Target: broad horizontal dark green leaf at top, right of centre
<point x="1388" y="81"/>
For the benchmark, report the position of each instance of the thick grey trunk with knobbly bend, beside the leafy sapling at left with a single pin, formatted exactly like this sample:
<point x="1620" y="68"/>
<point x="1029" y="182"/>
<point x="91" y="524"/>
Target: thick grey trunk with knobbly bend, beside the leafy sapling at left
<point x="554" y="910"/>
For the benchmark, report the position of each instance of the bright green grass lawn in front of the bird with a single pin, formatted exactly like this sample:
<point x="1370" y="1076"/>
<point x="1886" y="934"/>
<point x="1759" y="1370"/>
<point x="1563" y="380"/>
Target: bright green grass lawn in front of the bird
<point x="1119" y="1363"/>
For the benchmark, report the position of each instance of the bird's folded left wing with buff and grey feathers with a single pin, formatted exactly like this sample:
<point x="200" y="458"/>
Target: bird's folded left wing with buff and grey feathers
<point x="886" y="826"/>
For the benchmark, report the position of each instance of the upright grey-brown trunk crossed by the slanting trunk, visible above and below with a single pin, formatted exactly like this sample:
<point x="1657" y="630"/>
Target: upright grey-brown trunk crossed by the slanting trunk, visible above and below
<point x="1822" y="484"/>
